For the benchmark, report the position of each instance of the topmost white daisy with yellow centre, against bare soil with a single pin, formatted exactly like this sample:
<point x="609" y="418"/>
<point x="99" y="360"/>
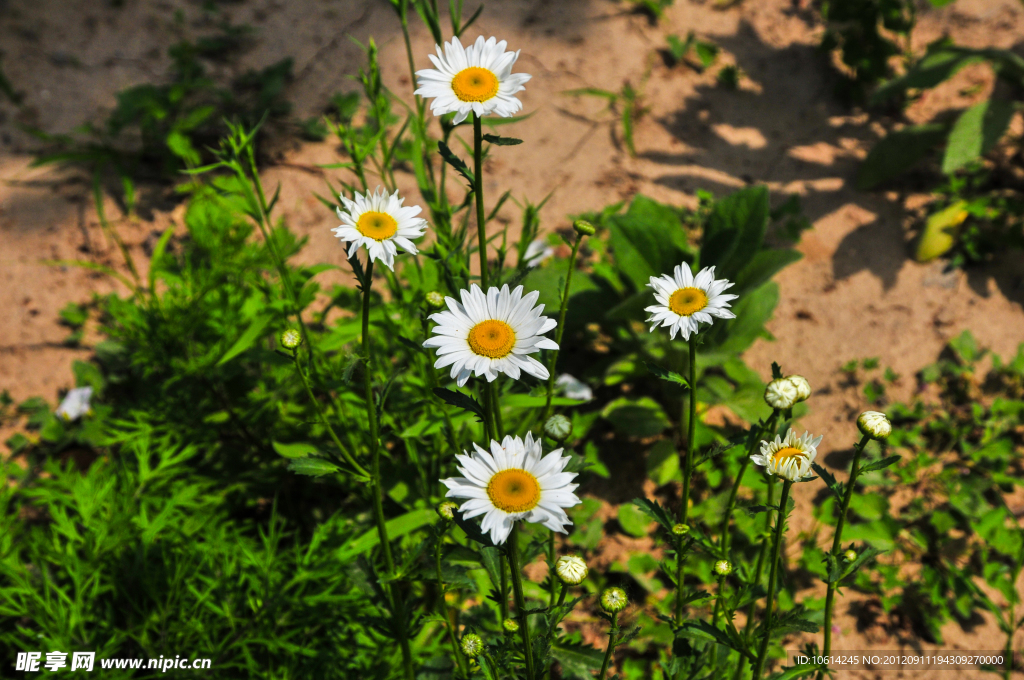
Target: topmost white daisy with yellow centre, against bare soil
<point x="478" y="79"/>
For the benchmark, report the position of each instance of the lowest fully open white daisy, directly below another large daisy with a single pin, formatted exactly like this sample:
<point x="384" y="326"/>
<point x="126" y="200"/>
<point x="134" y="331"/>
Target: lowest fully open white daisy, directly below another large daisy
<point x="515" y="481"/>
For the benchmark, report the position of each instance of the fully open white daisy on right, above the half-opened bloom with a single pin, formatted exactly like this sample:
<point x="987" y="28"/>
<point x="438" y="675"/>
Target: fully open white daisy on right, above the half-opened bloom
<point x="686" y="301"/>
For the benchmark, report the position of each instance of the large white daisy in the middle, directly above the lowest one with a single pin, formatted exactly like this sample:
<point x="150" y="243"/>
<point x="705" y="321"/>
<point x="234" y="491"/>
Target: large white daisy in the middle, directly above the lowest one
<point x="491" y="334"/>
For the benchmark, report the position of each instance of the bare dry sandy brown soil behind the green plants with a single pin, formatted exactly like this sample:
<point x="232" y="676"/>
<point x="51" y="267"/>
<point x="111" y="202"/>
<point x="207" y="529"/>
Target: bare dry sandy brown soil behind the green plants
<point x="856" y="294"/>
